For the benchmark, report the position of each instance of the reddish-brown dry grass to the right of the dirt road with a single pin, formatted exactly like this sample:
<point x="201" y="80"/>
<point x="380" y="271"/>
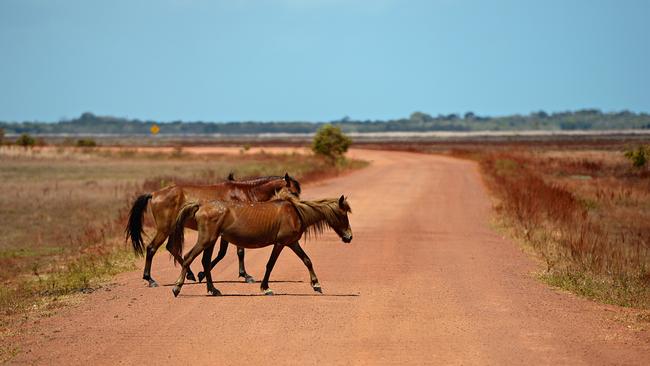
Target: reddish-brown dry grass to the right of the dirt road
<point x="586" y="212"/>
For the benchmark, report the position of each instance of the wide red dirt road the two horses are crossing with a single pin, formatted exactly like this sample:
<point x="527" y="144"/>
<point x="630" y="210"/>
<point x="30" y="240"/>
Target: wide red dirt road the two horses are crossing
<point x="426" y="280"/>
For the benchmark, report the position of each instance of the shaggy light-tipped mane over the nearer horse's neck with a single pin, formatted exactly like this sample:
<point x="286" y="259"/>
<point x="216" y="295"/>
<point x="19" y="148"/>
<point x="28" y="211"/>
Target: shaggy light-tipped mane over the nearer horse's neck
<point x="315" y="216"/>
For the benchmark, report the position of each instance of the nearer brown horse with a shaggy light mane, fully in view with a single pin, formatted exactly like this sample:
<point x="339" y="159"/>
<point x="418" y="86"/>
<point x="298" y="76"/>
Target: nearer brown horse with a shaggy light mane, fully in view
<point x="280" y="222"/>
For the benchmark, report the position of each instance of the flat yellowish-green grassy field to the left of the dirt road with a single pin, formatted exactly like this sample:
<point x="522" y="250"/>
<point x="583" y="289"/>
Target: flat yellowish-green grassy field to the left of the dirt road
<point x="63" y="210"/>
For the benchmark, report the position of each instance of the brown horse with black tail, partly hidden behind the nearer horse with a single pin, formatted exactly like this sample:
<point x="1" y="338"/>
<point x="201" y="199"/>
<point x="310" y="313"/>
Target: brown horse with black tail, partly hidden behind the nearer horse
<point x="167" y="202"/>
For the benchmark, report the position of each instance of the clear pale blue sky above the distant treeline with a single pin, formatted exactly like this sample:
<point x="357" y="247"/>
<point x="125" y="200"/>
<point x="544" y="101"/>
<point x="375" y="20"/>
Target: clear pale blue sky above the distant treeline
<point x="320" y="59"/>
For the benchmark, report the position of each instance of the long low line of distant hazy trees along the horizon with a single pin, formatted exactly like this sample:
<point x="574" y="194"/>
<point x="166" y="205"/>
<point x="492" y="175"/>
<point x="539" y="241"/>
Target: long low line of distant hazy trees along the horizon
<point x="586" y="119"/>
